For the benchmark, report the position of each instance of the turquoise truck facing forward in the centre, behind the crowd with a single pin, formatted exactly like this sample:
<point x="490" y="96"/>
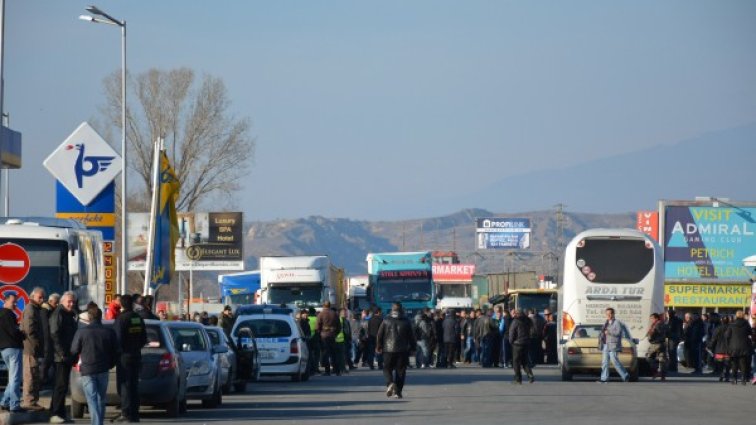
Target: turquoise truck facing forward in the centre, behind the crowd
<point x="404" y="277"/>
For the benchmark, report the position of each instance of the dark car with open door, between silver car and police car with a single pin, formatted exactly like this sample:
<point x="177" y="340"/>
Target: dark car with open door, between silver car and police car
<point x="237" y="366"/>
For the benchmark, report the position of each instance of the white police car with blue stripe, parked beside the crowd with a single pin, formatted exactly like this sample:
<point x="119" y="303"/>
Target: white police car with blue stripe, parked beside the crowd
<point x="280" y="342"/>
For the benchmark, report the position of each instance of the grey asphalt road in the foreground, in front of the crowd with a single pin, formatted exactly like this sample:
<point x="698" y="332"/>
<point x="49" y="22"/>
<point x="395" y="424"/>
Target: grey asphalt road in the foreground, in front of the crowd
<point x="470" y="395"/>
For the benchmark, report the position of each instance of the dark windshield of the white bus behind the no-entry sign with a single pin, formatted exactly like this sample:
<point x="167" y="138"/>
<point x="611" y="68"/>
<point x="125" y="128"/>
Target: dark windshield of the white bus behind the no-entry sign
<point x="49" y="264"/>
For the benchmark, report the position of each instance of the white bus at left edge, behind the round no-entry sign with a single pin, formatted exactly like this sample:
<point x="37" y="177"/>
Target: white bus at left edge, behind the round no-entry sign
<point x="57" y="255"/>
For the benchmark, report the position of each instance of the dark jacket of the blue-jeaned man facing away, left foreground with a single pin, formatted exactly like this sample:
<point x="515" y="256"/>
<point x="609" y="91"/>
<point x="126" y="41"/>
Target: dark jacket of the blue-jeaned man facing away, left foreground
<point x="98" y="348"/>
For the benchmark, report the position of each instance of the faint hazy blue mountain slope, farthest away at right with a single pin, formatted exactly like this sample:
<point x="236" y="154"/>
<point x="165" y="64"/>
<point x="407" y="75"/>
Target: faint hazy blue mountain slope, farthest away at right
<point x="719" y="164"/>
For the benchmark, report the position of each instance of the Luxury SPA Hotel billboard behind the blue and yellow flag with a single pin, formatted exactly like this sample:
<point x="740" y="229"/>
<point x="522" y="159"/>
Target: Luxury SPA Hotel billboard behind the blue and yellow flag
<point x="208" y="241"/>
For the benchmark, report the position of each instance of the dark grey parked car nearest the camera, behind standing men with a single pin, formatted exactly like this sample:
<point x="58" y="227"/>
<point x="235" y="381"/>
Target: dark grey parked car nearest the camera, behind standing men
<point x="162" y="378"/>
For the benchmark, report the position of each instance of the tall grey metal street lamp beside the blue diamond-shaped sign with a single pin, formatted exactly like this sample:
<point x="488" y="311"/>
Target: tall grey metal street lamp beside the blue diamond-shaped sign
<point x="103" y="18"/>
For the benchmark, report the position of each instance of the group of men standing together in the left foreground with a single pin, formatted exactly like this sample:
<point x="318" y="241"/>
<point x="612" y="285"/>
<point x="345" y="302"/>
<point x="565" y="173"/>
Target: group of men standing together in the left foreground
<point x="54" y="335"/>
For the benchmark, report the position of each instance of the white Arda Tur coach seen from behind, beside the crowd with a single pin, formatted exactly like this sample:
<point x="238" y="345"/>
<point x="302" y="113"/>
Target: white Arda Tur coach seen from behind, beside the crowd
<point x="619" y="268"/>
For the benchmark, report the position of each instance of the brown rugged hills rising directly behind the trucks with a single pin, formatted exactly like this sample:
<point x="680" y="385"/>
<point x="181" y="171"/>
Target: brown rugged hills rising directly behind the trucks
<point x="347" y="242"/>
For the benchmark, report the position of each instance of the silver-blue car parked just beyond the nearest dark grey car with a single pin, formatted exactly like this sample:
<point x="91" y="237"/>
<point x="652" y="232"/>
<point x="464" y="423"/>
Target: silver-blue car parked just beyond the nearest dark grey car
<point x="203" y="374"/>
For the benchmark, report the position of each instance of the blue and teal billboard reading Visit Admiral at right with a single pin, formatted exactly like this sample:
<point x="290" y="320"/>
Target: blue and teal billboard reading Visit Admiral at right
<point x="708" y="243"/>
